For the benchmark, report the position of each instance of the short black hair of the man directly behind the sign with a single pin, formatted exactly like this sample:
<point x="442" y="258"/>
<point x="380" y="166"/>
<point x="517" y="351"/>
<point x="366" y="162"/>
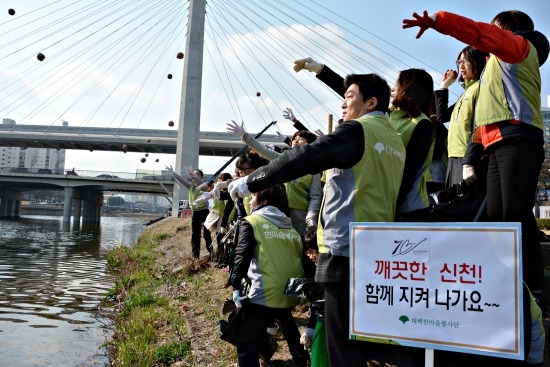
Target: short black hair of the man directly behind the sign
<point x="371" y="85"/>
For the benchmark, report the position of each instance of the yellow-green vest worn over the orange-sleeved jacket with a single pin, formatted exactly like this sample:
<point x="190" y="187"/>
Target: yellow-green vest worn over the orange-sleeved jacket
<point x="500" y="87"/>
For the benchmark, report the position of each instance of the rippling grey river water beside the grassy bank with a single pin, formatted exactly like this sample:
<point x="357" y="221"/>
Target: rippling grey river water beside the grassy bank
<point x="52" y="283"/>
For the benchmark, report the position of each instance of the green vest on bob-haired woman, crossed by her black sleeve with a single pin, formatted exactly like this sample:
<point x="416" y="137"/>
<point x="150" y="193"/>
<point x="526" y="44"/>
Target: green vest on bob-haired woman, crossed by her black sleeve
<point x="417" y="198"/>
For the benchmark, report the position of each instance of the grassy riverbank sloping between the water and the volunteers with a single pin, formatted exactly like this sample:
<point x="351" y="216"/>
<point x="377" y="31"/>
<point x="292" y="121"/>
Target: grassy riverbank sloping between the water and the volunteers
<point x="167" y="307"/>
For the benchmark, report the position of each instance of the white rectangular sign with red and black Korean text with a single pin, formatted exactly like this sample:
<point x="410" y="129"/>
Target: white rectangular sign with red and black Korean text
<point x="450" y="286"/>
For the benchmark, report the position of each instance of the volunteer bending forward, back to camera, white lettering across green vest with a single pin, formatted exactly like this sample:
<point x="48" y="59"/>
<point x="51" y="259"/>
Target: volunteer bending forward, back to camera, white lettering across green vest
<point x="268" y="252"/>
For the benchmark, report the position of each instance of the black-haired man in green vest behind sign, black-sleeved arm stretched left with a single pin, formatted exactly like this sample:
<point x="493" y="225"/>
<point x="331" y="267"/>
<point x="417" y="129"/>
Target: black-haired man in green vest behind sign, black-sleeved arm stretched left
<point x="365" y="157"/>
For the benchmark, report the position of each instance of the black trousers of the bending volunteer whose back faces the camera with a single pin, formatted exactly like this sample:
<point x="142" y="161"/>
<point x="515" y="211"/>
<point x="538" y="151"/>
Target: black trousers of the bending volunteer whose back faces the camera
<point x="253" y="327"/>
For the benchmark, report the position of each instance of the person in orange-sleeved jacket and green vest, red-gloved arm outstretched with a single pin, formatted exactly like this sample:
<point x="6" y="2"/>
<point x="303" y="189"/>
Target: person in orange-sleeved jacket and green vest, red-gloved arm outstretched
<point x="508" y="123"/>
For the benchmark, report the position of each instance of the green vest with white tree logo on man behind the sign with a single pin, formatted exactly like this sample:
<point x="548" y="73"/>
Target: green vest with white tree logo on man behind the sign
<point x="367" y="192"/>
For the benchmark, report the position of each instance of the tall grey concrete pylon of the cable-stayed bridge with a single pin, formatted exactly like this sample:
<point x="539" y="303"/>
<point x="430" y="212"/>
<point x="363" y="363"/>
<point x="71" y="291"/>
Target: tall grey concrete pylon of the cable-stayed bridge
<point x="187" y="151"/>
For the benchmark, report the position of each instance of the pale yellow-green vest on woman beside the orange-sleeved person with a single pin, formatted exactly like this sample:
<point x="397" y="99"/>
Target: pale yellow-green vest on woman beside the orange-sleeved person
<point x="462" y="121"/>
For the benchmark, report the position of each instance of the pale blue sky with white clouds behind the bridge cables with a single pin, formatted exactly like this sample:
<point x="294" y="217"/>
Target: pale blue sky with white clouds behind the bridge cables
<point x="250" y="48"/>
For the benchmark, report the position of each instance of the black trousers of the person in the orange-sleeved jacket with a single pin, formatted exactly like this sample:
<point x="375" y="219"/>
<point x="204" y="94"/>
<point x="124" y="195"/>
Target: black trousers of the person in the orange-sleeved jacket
<point x="512" y="177"/>
